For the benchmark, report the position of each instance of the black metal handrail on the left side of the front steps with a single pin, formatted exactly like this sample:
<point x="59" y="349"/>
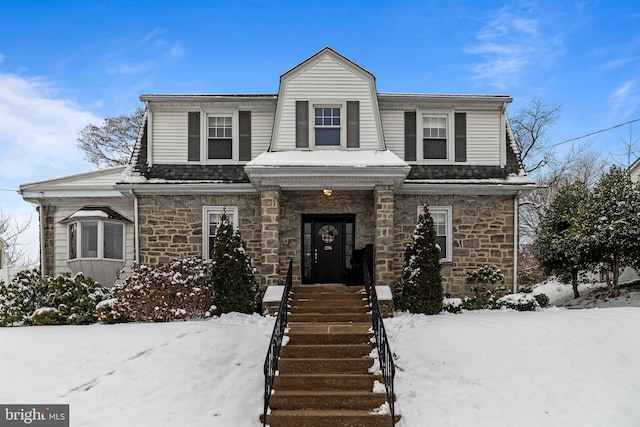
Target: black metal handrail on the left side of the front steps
<point x="271" y="361"/>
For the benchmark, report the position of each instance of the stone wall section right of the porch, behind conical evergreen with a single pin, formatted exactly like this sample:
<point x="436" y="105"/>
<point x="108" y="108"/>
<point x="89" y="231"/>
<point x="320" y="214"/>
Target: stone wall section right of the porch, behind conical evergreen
<point x="482" y="234"/>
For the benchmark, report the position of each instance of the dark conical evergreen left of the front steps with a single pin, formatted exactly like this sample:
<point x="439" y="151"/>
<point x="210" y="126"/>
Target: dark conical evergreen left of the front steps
<point x="231" y="275"/>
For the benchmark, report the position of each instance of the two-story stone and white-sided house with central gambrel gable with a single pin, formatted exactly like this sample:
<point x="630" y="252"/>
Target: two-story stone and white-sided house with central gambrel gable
<point x="325" y="166"/>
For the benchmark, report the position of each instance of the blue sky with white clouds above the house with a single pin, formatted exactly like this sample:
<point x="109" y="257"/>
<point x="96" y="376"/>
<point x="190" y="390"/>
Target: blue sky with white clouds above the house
<point x="64" y="64"/>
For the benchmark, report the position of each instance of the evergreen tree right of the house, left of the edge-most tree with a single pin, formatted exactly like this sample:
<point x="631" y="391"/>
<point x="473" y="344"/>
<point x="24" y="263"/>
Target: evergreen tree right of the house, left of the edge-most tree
<point x="556" y="246"/>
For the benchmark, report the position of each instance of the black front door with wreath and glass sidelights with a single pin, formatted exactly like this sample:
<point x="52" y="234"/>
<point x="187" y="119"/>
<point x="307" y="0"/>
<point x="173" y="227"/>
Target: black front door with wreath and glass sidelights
<point x="327" y="248"/>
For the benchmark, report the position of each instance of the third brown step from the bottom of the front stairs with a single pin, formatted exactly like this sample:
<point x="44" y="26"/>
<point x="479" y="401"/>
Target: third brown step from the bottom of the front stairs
<point x="327" y="382"/>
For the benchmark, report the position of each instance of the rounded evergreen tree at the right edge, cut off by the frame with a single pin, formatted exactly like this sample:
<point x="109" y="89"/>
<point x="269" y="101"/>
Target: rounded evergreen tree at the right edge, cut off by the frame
<point x="609" y="231"/>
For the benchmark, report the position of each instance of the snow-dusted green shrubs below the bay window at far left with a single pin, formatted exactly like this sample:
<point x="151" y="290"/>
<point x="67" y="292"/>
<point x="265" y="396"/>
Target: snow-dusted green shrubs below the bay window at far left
<point x="68" y="299"/>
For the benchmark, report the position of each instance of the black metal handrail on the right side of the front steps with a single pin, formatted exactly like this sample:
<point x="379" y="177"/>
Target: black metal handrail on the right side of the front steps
<point x="385" y="356"/>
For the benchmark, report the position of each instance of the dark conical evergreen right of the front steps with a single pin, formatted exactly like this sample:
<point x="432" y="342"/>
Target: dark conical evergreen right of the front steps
<point x="420" y="287"/>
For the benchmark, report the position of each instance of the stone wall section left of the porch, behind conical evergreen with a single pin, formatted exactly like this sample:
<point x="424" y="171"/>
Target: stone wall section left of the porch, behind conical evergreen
<point x="171" y="225"/>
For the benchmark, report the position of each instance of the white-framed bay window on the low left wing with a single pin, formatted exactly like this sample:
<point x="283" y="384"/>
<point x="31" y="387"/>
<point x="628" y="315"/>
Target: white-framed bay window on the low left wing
<point x="96" y="239"/>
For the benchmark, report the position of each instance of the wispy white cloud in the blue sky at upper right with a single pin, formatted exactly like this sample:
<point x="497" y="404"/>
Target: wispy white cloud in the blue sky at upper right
<point x="512" y="43"/>
